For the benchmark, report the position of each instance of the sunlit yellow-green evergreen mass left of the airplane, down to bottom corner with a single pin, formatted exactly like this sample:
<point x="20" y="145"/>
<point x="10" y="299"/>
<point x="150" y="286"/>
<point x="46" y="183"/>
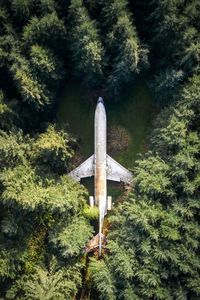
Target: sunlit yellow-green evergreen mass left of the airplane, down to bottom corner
<point x="41" y="214"/>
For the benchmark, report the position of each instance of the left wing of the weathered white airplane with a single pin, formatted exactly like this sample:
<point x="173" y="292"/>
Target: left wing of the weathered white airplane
<point x="86" y="169"/>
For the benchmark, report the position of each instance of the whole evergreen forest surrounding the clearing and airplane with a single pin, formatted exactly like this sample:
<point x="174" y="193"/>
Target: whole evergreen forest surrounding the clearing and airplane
<point x="153" y="239"/>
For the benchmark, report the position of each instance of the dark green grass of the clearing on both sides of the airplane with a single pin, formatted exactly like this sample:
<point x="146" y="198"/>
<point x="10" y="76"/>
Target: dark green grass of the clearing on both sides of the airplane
<point x="135" y="112"/>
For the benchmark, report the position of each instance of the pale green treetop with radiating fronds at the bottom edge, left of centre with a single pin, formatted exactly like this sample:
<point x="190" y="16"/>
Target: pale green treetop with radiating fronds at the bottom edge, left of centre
<point x="45" y="284"/>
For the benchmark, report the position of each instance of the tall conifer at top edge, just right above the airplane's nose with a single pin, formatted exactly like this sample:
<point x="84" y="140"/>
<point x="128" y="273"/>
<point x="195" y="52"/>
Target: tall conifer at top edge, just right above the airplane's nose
<point x="126" y="55"/>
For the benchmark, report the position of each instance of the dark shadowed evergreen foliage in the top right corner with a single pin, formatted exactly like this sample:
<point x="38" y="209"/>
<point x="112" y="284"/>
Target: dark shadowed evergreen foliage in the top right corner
<point x="175" y="41"/>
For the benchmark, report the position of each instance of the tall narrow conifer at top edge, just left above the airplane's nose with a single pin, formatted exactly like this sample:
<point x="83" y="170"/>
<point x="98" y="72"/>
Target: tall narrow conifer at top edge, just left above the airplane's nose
<point x="85" y="45"/>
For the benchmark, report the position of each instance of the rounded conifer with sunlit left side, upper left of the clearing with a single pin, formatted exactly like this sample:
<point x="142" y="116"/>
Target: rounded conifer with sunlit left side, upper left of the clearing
<point x="36" y="79"/>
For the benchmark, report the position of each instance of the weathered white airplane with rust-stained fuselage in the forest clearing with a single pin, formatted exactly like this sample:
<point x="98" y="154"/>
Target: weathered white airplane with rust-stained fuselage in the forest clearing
<point x="102" y="167"/>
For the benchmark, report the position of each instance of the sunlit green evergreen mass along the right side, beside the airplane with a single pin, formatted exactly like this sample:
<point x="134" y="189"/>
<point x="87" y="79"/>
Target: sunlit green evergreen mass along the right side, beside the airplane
<point x="154" y="238"/>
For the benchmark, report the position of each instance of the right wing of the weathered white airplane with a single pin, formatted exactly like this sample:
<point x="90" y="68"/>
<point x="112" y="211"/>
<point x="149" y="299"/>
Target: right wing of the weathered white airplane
<point x="117" y="172"/>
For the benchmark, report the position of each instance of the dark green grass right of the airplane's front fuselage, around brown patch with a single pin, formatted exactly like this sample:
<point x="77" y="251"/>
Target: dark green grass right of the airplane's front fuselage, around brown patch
<point x="134" y="112"/>
